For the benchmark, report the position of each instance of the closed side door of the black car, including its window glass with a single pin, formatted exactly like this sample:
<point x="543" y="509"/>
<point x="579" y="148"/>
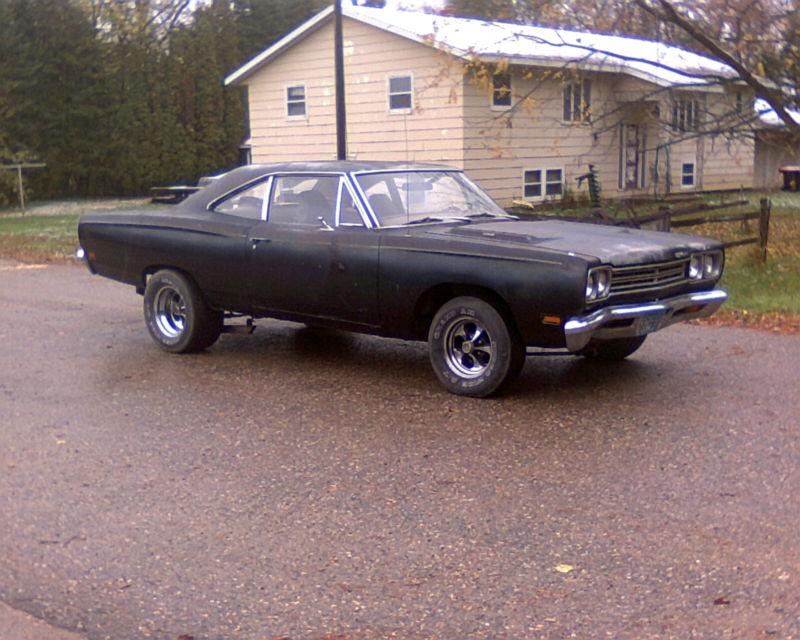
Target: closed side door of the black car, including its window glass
<point x="304" y="262"/>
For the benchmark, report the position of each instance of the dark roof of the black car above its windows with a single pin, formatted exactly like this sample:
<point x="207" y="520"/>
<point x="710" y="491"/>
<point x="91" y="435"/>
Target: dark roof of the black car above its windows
<point x="230" y="181"/>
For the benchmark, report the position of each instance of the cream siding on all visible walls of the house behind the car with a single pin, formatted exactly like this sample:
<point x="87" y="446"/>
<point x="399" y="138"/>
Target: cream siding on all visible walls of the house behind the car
<point x="452" y="121"/>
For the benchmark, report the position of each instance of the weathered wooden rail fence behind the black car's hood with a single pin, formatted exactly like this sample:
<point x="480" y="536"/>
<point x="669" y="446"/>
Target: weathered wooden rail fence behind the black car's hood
<point x="668" y="218"/>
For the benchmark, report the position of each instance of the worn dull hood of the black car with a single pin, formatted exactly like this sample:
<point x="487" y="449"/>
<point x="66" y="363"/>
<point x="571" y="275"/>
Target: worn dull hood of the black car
<point x="610" y="245"/>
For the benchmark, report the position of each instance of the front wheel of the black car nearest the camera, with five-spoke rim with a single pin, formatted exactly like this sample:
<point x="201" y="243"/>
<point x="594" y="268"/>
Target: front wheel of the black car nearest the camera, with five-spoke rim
<point x="473" y="349"/>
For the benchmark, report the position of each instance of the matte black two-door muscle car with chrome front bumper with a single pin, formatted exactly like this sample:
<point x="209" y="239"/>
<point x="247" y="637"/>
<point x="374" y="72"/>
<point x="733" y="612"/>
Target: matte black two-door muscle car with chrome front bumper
<point x="407" y="251"/>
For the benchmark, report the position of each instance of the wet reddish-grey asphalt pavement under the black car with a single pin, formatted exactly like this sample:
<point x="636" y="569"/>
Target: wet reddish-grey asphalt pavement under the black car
<point x="307" y="485"/>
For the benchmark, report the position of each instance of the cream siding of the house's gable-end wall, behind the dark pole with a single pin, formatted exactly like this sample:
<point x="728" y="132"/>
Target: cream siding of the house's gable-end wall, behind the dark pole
<point x="432" y="132"/>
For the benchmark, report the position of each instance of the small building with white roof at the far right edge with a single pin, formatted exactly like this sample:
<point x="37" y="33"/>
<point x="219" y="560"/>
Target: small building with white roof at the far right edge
<point x="775" y="147"/>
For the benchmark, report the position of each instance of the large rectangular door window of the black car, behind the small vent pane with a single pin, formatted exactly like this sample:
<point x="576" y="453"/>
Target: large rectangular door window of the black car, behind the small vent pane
<point x="303" y="200"/>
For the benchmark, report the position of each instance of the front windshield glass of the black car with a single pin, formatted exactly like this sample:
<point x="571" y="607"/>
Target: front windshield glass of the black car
<point x="408" y="197"/>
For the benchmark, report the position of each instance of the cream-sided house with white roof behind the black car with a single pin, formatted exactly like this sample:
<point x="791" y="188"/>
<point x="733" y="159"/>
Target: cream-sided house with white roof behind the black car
<point x="523" y="109"/>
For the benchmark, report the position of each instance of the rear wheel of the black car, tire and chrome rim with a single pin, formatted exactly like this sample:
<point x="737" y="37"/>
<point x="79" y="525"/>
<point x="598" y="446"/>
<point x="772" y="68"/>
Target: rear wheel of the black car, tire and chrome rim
<point x="176" y="315"/>
